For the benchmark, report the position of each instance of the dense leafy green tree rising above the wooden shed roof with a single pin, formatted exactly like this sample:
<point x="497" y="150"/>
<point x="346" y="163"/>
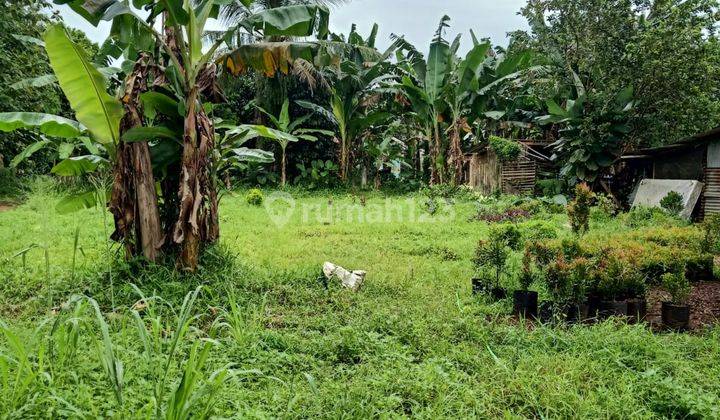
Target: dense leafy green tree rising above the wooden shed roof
<point x="666" y="49"/>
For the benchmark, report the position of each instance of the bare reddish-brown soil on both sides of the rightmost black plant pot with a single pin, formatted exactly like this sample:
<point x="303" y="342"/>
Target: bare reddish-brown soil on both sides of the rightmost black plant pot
<point x="704" y="304"/>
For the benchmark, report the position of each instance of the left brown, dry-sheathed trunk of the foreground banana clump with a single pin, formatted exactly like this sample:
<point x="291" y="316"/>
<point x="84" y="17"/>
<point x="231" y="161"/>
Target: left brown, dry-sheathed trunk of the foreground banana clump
<point x="134" y="202"/>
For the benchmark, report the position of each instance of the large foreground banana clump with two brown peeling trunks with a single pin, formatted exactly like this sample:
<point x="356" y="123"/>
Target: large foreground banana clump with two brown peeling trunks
<point x="174" y="65"/>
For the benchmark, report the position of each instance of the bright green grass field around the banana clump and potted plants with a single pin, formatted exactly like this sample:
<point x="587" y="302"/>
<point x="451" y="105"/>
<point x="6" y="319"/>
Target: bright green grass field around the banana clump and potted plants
<point x="413" y="342"/>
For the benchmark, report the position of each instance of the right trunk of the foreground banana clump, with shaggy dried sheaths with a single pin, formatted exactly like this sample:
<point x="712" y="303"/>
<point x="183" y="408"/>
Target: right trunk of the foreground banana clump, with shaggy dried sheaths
<point x="197" y="222"/>
